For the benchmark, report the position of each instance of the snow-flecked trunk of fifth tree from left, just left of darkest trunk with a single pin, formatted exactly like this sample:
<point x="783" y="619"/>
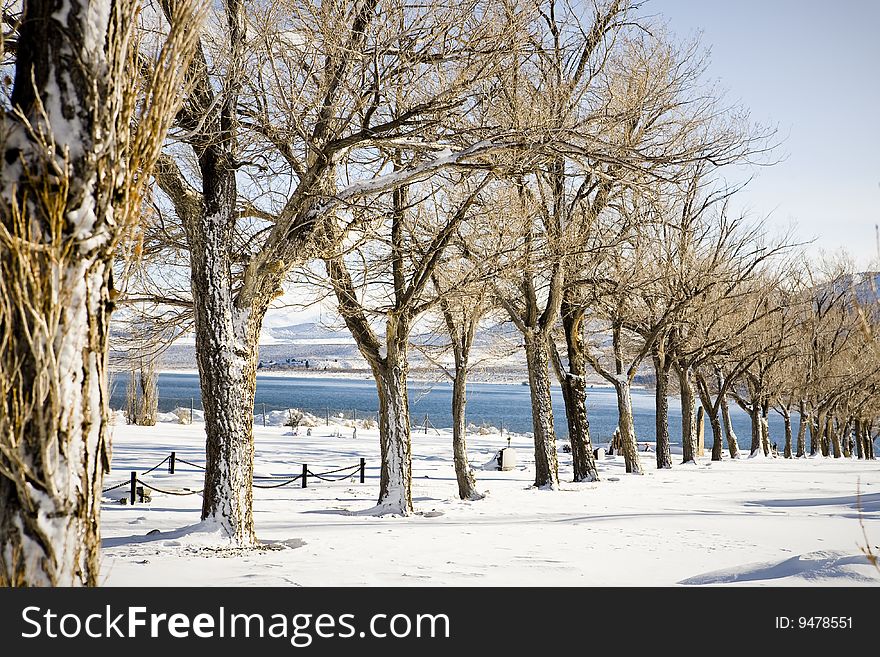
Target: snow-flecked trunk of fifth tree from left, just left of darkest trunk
<point x="538" y="363"/>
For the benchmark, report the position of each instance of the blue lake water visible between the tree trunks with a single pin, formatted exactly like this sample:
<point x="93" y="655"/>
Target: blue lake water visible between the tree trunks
<point x="488" y="403"/>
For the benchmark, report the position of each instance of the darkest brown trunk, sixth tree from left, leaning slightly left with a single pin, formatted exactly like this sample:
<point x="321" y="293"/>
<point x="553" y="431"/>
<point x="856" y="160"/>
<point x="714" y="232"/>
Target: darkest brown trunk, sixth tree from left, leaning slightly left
<point x="574" y="394"/>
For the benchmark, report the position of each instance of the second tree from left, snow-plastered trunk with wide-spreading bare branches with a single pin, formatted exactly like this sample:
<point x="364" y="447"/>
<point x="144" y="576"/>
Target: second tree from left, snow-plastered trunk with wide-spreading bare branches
<point x="293" y="110"/>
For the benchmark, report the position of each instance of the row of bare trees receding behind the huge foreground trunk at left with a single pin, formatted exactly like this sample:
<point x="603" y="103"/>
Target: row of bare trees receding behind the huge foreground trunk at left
<point x="556" y="163"/>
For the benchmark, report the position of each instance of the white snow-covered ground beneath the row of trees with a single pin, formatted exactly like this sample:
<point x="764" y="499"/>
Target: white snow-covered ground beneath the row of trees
<point x="752" y="522"/>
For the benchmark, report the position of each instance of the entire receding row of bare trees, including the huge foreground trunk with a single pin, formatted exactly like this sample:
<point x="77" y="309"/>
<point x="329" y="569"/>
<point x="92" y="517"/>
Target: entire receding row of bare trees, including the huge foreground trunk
<point x="557" y="163"/>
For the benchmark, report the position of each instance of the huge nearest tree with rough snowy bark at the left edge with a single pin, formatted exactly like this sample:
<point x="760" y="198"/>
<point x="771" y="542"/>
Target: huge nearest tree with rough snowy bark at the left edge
<point x="79" y="141"/>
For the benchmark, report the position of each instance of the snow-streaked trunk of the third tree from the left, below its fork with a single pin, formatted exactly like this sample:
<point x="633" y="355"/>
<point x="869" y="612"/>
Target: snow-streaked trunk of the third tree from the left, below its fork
<point x="395" y="484"/>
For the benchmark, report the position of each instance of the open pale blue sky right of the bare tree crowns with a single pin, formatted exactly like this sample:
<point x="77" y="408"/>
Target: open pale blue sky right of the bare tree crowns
<point x="813" y="69"/>
